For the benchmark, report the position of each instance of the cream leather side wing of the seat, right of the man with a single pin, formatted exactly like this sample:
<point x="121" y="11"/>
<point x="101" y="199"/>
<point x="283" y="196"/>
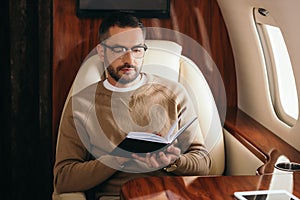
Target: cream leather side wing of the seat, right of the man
<point x="208" y="116"/>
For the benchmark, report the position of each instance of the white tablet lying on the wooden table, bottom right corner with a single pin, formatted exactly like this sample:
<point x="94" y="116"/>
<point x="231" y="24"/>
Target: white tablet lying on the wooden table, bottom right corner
<point x="265" y="195"/>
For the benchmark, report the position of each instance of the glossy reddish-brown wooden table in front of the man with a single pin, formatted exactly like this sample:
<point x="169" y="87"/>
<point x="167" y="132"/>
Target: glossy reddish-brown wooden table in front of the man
<point x="210" y="188"/>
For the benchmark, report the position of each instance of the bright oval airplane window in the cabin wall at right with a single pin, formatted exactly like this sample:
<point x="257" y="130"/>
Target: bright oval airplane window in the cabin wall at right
<point x="280" y="71"/>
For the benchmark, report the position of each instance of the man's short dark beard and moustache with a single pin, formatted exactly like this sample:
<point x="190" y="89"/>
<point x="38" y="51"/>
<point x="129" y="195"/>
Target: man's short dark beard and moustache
<point x="123" y="79"/>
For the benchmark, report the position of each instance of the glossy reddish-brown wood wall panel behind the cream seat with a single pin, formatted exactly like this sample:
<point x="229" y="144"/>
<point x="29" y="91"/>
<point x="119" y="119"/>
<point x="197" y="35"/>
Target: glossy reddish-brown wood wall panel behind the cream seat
<point x="73" y="38"/>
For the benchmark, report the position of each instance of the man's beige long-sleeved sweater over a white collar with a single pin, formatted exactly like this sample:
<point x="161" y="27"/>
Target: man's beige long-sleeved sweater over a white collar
<point x="96" y="120"/>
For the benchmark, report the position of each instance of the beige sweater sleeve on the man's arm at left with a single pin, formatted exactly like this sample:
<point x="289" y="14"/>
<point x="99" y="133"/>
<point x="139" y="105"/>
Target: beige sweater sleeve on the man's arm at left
<point x="72" y="171"/>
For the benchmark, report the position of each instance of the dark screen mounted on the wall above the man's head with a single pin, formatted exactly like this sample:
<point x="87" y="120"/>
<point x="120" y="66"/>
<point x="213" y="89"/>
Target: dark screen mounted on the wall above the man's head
<point x="139" y="8"/>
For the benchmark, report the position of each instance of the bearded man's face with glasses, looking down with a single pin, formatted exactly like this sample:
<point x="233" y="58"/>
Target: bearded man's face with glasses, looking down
<point x="123" y="55"/>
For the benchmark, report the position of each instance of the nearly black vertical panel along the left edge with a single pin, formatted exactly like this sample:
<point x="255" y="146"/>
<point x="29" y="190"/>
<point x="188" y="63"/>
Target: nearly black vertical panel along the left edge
<point x="26" y="145"/>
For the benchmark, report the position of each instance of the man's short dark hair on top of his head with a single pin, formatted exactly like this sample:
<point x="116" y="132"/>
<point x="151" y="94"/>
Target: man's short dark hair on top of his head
<point x="119" y="19"/>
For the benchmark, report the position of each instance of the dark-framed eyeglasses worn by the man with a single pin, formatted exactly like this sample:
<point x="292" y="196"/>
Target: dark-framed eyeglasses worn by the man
<point x="137" y="51"/>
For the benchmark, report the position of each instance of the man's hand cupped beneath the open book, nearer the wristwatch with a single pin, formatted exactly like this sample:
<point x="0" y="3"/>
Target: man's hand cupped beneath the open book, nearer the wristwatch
<point x="161" y="159"/>
